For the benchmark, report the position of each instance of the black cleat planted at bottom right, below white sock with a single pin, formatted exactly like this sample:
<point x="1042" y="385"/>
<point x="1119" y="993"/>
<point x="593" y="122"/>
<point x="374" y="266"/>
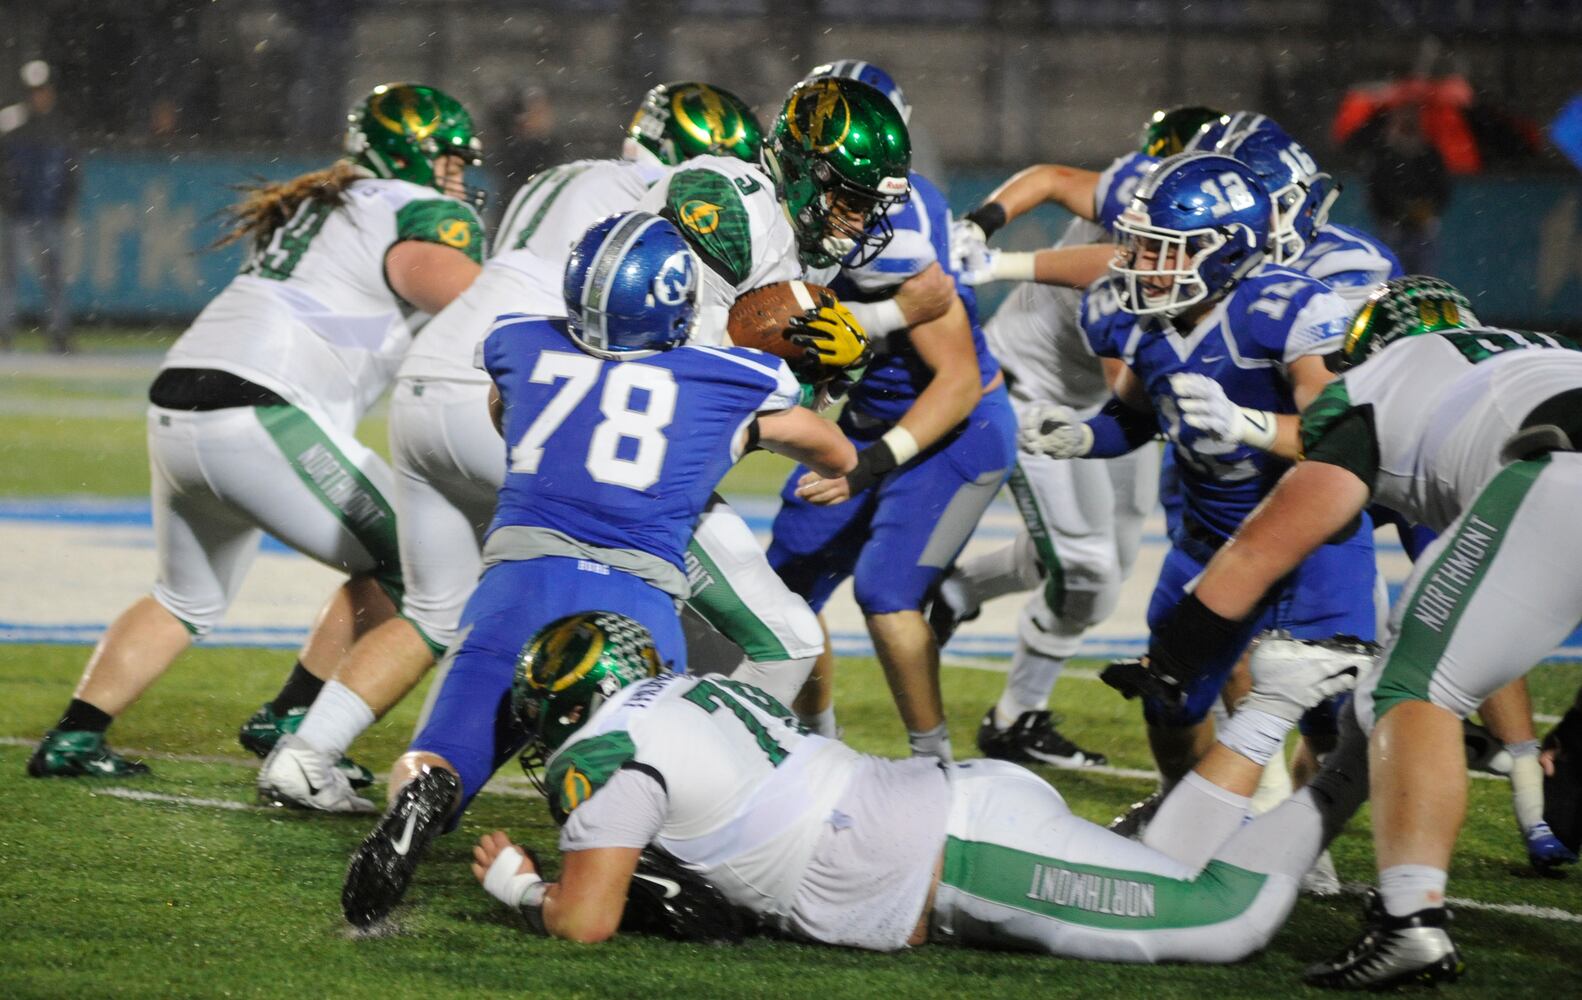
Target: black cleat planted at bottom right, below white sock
<point x="1414" y="950"/>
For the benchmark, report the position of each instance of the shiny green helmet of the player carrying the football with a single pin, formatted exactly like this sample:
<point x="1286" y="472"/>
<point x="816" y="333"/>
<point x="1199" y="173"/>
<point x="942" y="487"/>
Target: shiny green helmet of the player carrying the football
<point x="839" y="151"/>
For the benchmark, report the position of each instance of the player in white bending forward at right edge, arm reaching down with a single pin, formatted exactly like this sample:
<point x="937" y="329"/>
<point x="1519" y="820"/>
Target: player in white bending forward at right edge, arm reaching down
<point x="1472" y="433"/>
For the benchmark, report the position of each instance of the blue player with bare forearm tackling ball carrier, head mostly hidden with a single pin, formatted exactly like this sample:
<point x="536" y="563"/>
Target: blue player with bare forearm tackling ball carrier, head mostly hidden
<point x="937" y="439"/>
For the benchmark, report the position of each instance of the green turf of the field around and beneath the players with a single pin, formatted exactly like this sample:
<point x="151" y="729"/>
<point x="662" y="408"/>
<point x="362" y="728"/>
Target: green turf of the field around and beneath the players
<point x="178" y="885"/>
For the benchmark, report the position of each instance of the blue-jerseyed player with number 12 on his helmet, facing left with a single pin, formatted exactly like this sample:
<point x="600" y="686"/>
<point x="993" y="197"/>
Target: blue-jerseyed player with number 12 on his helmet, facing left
<point x="1206" y="306"/>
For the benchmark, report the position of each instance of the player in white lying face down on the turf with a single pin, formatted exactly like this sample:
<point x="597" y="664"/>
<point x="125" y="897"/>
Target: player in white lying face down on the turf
<point x="816" y="841"/>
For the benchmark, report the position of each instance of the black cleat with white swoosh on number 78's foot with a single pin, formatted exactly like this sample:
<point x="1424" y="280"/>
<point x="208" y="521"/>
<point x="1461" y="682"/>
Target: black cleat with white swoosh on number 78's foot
<point x="382" y="868"/>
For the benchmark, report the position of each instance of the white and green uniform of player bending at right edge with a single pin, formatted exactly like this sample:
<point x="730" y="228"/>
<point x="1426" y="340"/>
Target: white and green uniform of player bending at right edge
<point x="1425" y="425"/>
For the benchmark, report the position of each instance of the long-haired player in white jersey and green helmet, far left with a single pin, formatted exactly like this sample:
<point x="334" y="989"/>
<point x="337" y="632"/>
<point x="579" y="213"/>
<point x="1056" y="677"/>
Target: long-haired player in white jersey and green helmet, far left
<point x="254" y="412"/>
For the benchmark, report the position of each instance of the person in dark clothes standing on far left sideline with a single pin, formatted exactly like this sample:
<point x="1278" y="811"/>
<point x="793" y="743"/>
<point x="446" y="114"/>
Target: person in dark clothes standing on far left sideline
<point x="39" y="187"/>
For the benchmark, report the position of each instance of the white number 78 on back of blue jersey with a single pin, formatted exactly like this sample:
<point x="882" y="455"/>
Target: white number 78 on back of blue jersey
<point x="646" y="426"/>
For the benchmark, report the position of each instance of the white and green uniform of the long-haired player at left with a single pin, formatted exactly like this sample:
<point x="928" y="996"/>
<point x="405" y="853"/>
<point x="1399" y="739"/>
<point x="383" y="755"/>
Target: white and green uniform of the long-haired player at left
<point x="311" y="319"/>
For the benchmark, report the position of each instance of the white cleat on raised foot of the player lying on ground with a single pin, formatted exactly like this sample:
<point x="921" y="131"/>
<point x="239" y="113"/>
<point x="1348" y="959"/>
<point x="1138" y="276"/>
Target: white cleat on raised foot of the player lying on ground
<point x="1292" y="676"/>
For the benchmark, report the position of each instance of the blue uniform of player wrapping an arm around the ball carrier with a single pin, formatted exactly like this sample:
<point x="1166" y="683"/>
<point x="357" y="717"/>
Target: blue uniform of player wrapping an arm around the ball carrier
<point x="901" y="536"/>
